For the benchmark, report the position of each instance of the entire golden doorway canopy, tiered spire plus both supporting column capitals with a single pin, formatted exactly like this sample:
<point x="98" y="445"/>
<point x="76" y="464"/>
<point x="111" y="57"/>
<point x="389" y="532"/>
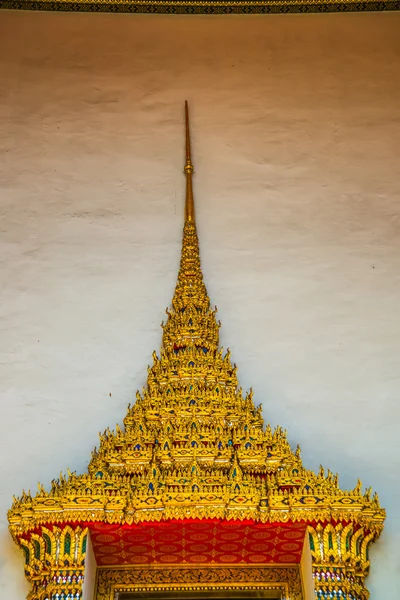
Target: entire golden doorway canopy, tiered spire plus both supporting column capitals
<point x="194" y="449"/>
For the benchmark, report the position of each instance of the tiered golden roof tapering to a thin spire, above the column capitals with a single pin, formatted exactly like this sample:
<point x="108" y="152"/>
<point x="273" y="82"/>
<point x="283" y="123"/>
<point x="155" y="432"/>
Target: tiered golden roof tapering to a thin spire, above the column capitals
<point x="194" y="445"/>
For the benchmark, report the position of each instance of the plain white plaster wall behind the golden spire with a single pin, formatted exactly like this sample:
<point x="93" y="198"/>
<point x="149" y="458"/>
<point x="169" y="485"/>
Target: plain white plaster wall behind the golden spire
<point x="296" y="141"/>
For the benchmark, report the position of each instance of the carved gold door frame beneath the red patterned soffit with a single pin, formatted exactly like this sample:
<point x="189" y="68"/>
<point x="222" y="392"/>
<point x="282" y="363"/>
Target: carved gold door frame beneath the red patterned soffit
<point x="208" y="577"/>
